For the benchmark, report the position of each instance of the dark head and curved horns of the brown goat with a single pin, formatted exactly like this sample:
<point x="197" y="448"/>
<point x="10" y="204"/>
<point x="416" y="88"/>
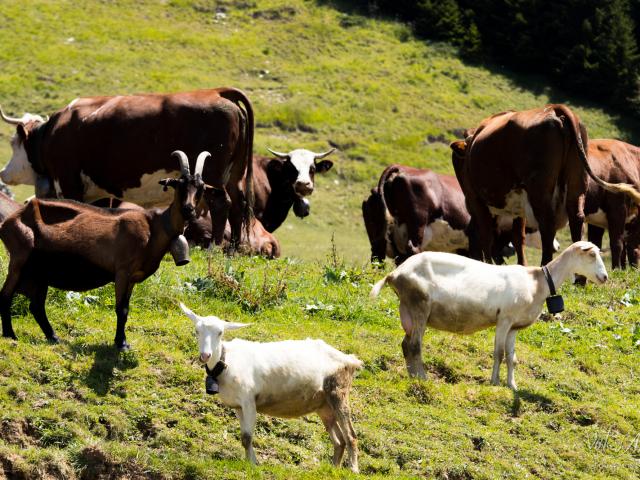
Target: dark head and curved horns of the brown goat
<point x="188" y="187"/>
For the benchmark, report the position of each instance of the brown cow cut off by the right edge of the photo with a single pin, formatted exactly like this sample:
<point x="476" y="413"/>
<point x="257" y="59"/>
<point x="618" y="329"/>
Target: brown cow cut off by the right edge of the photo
<point x="616" y="162"/>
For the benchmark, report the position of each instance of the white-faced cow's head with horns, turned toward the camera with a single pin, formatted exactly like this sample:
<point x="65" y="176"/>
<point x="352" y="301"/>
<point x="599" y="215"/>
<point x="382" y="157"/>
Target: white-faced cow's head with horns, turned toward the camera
<point x="300" y="167"/>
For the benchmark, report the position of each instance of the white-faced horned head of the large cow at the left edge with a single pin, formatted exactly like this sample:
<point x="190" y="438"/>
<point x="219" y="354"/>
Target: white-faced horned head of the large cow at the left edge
<point x="19" y="170"/>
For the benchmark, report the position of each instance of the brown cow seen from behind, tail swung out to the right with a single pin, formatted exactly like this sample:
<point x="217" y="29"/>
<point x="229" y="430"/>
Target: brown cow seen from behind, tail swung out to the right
<point x="527" y="164"/>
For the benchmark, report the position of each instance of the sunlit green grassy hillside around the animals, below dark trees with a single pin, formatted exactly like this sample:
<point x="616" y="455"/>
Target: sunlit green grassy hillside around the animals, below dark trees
<point x="317" y="77"/>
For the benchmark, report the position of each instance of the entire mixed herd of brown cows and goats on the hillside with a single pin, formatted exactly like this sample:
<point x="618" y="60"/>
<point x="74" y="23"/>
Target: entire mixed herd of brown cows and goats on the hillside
<point x="99" y="216"/>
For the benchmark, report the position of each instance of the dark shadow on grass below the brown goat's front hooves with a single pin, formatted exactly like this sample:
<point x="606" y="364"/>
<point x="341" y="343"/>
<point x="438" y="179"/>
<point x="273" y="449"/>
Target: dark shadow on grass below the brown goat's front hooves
<point x="106" y="361"/>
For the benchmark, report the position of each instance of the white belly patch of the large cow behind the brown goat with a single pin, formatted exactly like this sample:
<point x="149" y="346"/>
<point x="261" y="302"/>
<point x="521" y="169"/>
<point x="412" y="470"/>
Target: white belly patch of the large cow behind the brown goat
<point x="148" y="194"/>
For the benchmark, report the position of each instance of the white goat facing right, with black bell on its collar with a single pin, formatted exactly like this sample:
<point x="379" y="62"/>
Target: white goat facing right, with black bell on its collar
<point x="456" y="294"/>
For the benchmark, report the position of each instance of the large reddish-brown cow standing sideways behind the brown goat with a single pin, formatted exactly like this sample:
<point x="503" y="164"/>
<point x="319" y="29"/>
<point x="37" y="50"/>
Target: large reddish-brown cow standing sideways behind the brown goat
<point x="120" y="146"/>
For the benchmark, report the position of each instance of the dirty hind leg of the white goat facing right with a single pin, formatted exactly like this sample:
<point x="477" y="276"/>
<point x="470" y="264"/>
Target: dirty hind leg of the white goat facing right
<point x="414" y="320"/>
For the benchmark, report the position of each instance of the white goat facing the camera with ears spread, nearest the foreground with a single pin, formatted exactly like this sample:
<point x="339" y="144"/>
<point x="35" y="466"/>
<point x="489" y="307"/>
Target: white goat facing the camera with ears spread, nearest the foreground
<point x="283" y="379"/>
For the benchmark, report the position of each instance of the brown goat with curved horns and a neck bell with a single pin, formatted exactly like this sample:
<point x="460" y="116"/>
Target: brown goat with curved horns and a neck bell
<point x="74" y="246"/>
